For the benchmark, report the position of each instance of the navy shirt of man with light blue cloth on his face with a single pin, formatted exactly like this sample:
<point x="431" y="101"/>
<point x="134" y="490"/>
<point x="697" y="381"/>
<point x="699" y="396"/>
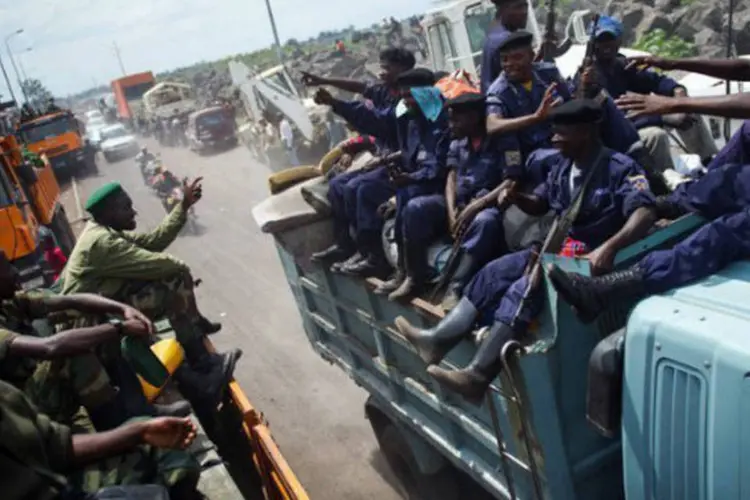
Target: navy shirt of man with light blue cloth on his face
<point x="423" y="144"/>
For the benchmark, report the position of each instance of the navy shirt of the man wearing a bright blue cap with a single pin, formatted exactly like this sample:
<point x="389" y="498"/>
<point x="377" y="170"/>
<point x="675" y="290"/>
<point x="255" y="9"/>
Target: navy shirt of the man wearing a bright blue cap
<point x="618" y="80"/>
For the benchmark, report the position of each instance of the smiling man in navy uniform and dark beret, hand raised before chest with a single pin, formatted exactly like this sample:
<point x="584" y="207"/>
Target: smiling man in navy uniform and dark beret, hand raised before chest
<point x="520" y="99"/>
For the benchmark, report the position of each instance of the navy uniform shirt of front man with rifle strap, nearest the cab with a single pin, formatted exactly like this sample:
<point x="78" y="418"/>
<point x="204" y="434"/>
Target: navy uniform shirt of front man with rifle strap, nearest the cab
<point x="617" y="190"/>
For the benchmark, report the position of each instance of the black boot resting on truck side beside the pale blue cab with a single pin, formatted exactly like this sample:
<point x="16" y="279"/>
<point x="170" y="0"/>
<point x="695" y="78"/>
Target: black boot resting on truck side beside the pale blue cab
<point x="591" y="296"/>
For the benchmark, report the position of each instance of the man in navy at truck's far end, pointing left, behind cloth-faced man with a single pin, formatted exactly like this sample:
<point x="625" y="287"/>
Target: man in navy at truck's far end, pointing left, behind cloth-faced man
<point x="343" y="189"/>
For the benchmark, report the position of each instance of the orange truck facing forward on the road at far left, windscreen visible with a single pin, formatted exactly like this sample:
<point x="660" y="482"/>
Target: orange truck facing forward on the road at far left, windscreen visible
<point x="60" y="136"/>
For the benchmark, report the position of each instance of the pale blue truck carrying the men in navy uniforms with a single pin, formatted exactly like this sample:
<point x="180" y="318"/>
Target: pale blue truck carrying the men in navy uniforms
<point x="647" y="402"/>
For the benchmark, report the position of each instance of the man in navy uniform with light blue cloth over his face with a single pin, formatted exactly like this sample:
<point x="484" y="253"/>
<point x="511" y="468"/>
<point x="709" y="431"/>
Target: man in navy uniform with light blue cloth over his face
<point x="418" y="126"/>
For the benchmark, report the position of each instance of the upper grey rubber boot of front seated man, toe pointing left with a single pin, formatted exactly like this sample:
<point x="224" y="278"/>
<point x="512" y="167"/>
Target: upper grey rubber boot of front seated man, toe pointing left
<point x="434" y="343"/>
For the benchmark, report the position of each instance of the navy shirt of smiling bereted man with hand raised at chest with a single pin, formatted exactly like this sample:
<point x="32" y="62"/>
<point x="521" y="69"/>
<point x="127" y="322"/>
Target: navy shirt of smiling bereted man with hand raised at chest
<point x="512" y="100"/>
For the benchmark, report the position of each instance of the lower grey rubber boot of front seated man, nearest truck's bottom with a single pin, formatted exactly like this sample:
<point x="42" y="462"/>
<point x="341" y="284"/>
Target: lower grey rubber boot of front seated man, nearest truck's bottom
<point x="473" y="381"/>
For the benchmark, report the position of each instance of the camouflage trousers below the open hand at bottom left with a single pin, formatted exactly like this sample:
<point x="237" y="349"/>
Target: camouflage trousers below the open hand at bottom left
<point x="145" y="465"/>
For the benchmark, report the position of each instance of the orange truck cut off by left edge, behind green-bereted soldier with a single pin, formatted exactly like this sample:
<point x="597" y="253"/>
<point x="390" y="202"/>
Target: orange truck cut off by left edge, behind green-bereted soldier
<point x="29" y="200"/>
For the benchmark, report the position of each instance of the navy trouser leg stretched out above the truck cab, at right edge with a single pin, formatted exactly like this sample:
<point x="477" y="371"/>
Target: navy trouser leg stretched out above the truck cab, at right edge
<point x="711" y="248"/>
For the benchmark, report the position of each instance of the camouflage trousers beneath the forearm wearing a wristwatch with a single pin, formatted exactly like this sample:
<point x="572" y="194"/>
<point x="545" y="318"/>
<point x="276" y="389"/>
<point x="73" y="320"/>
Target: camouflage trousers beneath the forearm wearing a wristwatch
<point x="60" y="387"/>
